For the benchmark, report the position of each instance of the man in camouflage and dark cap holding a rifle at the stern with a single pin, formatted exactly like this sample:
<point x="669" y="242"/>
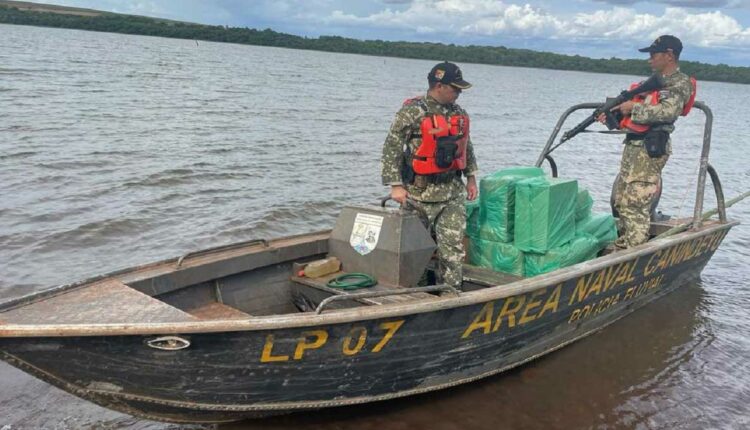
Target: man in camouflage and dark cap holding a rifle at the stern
<point x="640" y="171"/>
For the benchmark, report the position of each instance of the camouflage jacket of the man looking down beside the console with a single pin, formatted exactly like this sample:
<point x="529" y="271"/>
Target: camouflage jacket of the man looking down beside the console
<point x="404" y="134"/>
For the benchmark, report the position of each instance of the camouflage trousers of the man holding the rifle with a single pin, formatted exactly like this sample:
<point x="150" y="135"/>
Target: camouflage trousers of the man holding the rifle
<point x="634" y="193"/>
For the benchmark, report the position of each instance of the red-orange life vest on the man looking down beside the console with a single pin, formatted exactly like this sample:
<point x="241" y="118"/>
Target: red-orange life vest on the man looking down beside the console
<point x="444" y="142"/>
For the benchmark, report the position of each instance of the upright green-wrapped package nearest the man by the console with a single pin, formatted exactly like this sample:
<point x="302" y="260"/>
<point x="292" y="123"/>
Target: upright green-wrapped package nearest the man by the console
<point x="497" y="194"/>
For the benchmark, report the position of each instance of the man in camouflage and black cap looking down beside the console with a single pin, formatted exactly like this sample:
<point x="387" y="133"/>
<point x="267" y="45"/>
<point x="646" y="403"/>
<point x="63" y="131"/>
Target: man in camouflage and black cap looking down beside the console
<point x="438" y="198"/>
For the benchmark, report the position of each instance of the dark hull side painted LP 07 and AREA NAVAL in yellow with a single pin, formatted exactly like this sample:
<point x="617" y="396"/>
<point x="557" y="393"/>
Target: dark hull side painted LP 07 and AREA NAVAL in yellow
<point x="237" y="374"/>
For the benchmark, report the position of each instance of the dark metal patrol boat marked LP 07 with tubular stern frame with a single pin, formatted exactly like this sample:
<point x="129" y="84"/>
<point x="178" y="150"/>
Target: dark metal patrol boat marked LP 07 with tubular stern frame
<point x="235" y="332"/>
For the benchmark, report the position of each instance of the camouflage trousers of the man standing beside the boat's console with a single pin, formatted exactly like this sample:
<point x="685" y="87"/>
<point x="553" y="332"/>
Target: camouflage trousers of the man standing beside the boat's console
<point x="447" y="221"/>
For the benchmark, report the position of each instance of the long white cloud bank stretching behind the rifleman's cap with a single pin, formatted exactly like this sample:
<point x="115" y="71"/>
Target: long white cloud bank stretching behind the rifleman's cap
<point x="490" y="19"/>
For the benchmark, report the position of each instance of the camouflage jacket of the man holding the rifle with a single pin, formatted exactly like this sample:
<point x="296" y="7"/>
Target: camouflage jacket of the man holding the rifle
<point x="672" y="99"/>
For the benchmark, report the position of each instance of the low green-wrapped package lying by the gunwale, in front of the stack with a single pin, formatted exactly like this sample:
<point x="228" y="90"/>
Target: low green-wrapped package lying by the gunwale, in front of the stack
<point x="581" y="248"/>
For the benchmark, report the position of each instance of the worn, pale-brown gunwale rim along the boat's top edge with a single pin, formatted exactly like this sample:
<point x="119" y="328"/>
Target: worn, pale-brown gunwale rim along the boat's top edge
<point x="297" y="320"/>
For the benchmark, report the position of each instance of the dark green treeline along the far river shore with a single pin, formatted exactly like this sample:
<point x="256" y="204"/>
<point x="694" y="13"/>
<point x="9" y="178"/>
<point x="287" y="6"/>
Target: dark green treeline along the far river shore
<point x="129" y="24"/>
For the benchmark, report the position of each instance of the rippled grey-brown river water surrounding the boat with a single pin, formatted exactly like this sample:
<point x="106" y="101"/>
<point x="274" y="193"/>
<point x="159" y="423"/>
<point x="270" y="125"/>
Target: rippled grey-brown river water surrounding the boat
<point x="119" y="150"/>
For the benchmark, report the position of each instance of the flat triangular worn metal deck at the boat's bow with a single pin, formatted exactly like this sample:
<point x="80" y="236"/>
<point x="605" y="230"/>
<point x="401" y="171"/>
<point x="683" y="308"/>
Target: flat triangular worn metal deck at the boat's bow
<point x="108" y="301"/>
